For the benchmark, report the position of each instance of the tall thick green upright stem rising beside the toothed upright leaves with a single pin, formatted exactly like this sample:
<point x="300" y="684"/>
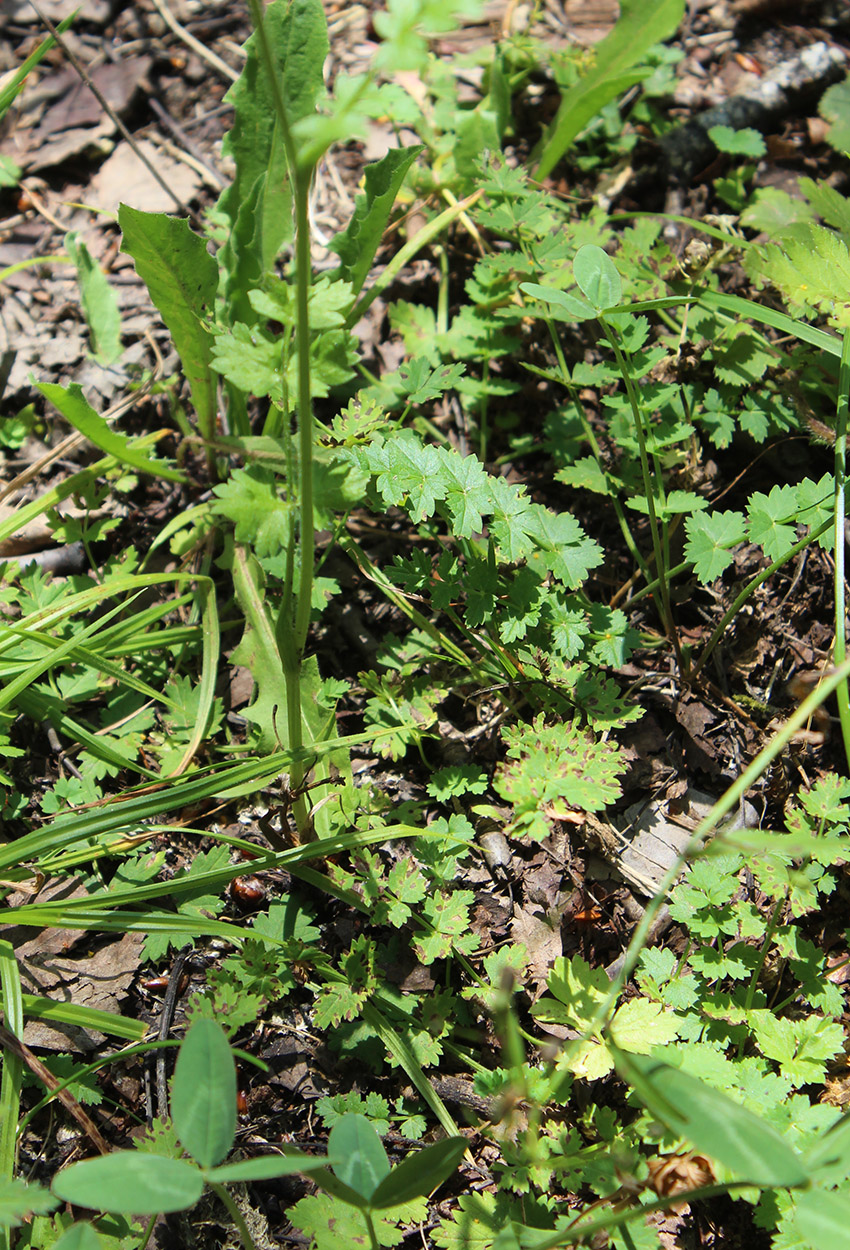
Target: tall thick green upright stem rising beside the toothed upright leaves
<point x="293" y="626"/>
